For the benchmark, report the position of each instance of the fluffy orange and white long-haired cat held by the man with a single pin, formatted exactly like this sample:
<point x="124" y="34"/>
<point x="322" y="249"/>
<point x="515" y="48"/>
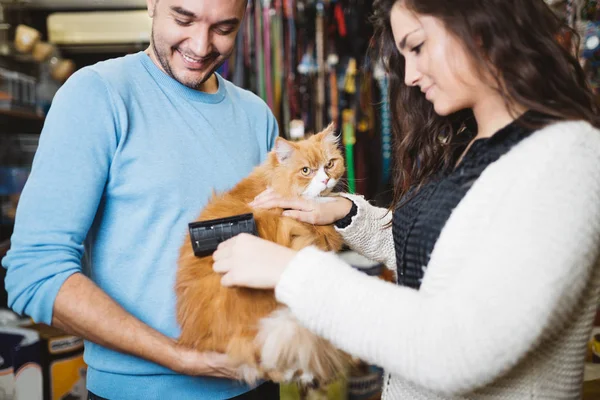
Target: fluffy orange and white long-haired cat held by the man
<point x="250" y="325"/>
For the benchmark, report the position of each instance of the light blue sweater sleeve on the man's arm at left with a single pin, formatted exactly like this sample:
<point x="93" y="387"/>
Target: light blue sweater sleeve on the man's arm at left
<point x="62" y="194"/>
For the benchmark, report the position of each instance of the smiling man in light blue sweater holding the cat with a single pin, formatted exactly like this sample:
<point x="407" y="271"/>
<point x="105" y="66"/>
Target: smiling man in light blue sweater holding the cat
<point x="130" y="152"/>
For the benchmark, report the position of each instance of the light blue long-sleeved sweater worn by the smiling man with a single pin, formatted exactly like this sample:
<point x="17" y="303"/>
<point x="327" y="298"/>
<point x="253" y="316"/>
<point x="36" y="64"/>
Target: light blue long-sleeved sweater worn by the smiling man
<point x="127" y="157"/>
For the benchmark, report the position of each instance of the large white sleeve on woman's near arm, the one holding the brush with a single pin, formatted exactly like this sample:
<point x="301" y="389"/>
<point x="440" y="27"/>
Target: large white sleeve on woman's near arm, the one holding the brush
<point x="518" y="282"/>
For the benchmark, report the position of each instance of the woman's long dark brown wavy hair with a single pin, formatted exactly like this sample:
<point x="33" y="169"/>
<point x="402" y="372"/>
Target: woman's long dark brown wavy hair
<point x="519" y="40"/>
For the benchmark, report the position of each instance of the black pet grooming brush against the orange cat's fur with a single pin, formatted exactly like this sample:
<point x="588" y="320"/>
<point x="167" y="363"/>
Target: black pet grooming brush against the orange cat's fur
<point x="206" y="235"/>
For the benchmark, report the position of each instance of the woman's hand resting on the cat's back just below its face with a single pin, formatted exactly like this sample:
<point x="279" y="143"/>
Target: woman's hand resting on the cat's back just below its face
<point x="324" y="211"/>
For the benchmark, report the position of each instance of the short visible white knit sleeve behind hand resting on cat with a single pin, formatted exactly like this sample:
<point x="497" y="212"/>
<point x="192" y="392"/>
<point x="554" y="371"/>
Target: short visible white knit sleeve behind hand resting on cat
<point x="370" y="232"/>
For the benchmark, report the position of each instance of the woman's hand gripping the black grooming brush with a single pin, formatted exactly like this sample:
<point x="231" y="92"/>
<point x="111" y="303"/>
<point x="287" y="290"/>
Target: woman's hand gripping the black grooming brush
<point x="248" y="261"/>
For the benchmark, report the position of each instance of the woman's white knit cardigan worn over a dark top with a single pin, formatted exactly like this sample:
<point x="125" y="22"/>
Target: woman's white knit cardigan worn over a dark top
<point x="507" y="302"/>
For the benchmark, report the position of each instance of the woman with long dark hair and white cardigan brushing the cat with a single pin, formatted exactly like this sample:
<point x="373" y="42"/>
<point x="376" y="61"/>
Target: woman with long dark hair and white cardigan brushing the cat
<point x="498" y="226"/>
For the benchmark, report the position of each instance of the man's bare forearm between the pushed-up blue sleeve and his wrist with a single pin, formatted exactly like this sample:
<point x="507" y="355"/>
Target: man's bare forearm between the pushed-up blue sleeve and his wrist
<point x="81" y="308"/>
